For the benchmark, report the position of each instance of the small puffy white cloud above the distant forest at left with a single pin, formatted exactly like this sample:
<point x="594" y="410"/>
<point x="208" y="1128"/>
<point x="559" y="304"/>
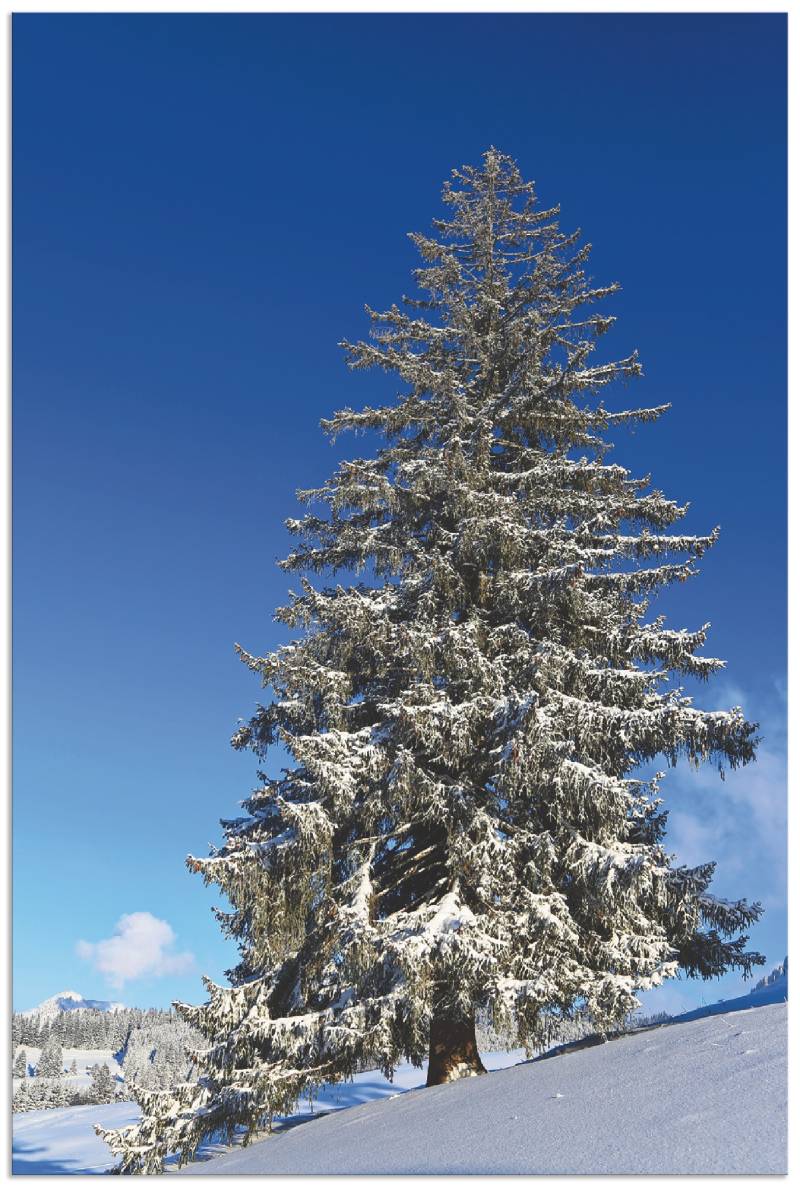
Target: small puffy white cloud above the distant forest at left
<point x="142" y="947"/>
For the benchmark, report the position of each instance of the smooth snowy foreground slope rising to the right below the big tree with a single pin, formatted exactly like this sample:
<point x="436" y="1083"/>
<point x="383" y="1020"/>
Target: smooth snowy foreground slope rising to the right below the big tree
<point x="702" y="1097"/>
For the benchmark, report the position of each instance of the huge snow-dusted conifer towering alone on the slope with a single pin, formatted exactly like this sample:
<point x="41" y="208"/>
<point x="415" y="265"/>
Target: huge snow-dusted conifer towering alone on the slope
<point x="462" y="826"/>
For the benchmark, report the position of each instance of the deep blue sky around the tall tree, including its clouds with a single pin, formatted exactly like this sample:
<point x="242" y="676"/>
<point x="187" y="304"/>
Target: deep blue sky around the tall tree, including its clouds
<point x="202" y="206"/>
